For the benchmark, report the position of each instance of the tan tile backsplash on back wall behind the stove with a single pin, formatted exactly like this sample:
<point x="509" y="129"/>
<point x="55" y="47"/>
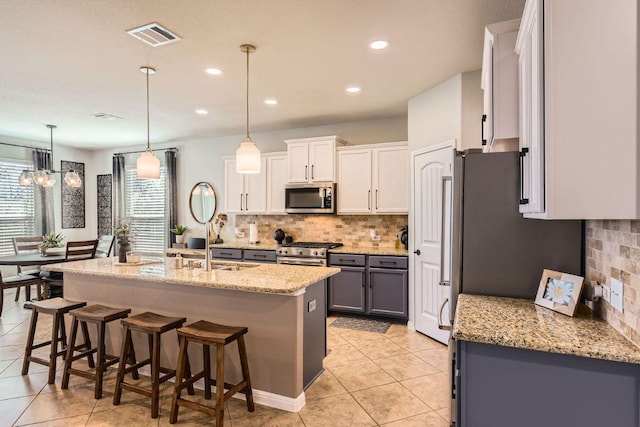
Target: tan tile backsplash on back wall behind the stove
<point x="351" y="230"/>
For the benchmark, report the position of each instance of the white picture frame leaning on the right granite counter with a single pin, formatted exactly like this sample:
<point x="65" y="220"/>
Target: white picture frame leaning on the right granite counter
<point x="559" y="291"/>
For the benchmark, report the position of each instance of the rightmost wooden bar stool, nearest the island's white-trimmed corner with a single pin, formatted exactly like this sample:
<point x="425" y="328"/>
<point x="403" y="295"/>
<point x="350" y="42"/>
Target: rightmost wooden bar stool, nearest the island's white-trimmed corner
<point x="208" y="334"/>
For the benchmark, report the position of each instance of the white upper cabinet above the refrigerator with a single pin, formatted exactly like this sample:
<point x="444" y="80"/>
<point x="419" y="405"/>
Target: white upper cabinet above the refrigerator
<point x="499" y="82"/>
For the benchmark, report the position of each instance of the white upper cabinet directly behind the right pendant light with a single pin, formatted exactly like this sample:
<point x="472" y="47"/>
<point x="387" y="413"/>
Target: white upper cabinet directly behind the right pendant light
<point x="245" y="193"/>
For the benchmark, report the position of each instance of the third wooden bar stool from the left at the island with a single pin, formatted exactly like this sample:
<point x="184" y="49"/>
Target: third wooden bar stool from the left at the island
<point x="154" y="325"/>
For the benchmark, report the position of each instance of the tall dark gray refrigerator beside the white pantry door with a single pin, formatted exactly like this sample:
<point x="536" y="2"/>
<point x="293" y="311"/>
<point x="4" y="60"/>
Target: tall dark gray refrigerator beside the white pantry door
<point x="495" y="250"/>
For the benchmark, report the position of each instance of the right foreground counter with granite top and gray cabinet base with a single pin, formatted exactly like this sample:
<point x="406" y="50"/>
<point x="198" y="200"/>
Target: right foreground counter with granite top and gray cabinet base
<point x="521" y="364"/>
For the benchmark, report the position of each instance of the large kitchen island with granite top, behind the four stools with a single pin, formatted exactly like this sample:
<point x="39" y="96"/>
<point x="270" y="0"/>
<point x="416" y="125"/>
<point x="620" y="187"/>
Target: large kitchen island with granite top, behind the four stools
<point x="283" y="307"/>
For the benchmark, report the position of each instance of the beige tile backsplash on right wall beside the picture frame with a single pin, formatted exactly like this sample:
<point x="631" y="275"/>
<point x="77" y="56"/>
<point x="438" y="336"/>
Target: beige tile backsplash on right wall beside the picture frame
<point x="613" y="250"/>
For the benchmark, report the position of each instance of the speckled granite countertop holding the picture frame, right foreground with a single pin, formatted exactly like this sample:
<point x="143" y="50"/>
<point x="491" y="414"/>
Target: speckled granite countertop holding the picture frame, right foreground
<point x="520" y="323"/>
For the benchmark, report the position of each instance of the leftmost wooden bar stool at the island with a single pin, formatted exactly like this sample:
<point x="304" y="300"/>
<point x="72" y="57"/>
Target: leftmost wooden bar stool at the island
<point x="57" y="307"/>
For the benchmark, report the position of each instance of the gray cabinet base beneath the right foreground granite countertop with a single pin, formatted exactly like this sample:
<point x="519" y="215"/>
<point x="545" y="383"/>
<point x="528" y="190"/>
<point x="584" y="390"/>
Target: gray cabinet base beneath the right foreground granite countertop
<point x="505" y="387"/>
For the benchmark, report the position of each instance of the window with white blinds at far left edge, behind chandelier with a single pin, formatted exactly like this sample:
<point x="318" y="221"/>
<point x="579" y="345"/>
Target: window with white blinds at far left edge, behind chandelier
<point x="17" y="205"/>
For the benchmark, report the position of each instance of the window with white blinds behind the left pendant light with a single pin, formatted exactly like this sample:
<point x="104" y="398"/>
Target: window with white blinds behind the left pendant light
<point x="145" y="208"/>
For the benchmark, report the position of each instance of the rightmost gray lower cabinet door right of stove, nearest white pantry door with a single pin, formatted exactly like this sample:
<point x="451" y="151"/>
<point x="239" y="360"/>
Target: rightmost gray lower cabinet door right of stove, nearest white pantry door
<point x="388" y="292"/>
